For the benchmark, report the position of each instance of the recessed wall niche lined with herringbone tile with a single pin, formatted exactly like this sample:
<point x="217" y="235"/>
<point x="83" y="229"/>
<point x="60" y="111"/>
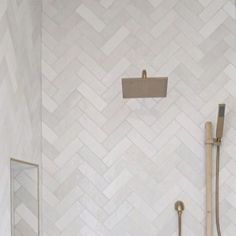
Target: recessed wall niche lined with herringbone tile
<point x="25" y="200"/>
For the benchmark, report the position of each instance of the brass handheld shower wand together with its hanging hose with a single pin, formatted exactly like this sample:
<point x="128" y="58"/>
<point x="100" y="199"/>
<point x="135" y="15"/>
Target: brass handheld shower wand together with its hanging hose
<point x="217" y="141"/>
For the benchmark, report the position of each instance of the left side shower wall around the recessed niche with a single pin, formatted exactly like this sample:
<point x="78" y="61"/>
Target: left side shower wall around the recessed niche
<point x="20" y="92"/>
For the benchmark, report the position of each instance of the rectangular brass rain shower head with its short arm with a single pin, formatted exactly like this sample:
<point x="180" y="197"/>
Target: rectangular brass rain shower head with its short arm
<point x="144" y="87"/>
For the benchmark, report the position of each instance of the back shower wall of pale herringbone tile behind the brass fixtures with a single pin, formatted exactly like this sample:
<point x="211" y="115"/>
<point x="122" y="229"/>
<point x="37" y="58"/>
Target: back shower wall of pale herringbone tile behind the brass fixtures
<point x="114" y="167"/>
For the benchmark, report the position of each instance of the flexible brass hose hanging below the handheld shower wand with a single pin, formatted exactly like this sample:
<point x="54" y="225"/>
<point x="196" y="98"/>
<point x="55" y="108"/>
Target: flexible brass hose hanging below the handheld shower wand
<point x="217" y="201"/>
